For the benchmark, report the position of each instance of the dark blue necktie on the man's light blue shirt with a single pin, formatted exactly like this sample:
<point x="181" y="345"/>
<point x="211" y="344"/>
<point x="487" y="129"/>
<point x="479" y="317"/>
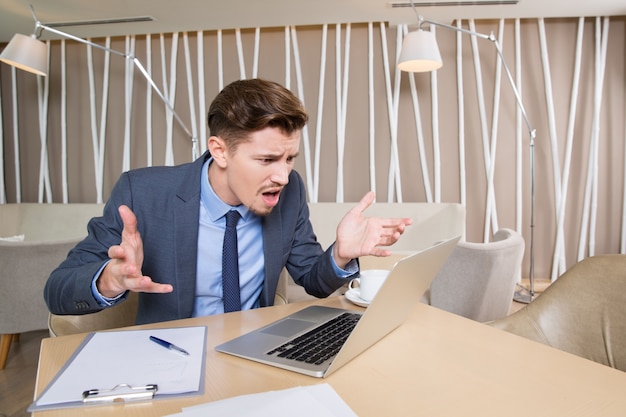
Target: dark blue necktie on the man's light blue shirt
<point x="230" y="264"/>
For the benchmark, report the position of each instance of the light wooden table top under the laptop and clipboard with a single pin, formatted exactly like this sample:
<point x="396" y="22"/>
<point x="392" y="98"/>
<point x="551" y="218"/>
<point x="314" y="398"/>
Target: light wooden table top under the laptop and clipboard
<point x="435" y="364"/>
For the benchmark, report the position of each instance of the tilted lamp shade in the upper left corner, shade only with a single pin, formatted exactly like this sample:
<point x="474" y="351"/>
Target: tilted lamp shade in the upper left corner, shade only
<point x="26" y="53"/>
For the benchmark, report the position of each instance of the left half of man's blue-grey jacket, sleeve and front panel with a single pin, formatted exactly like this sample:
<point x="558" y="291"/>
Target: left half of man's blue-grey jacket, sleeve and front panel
<point x="166" y="202"/>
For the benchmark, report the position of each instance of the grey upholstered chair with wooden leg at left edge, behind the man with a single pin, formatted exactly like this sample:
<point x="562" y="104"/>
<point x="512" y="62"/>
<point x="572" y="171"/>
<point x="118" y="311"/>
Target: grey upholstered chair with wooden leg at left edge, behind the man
<point x="24" y="269"/>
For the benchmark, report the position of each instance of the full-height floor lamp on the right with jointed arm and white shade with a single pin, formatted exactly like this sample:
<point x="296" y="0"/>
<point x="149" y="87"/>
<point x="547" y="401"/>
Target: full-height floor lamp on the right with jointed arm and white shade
<point x="420" y="53"/>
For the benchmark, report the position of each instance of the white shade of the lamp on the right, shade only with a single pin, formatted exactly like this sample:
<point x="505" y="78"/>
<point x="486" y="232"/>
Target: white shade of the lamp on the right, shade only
<point x="420" y="52"/>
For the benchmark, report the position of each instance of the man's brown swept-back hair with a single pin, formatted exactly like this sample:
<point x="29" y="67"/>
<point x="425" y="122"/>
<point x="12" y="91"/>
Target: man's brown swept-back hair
<point x="247" y="106"/>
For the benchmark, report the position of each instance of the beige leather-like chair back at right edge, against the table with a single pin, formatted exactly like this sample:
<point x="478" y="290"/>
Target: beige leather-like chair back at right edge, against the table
<point x="583" y="312"/>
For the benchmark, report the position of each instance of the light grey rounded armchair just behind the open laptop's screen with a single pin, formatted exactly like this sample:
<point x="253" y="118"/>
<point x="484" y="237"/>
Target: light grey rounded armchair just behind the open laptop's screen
<point x="478" y="279"/>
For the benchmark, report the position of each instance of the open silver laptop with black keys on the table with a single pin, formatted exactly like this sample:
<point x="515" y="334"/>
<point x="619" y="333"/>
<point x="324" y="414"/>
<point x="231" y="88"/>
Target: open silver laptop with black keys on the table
<point x="274" y="344"/>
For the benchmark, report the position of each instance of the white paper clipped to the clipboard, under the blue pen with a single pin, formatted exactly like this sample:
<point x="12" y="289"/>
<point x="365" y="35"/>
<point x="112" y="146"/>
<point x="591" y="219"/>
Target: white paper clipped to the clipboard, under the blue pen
<point x="130" y="357"/>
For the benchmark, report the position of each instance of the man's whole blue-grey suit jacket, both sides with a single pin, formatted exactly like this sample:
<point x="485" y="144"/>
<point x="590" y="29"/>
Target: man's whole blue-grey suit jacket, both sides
<point x="166" y="201"/>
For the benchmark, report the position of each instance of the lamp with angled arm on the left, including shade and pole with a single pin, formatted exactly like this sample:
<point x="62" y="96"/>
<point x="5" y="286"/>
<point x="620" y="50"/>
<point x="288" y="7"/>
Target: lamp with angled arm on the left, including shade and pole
<point x="30" y="54"/>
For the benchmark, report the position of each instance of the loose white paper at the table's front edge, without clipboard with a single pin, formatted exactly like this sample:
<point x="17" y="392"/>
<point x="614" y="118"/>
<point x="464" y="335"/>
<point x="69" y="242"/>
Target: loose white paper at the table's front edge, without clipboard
<point x="309" y="401"/>
